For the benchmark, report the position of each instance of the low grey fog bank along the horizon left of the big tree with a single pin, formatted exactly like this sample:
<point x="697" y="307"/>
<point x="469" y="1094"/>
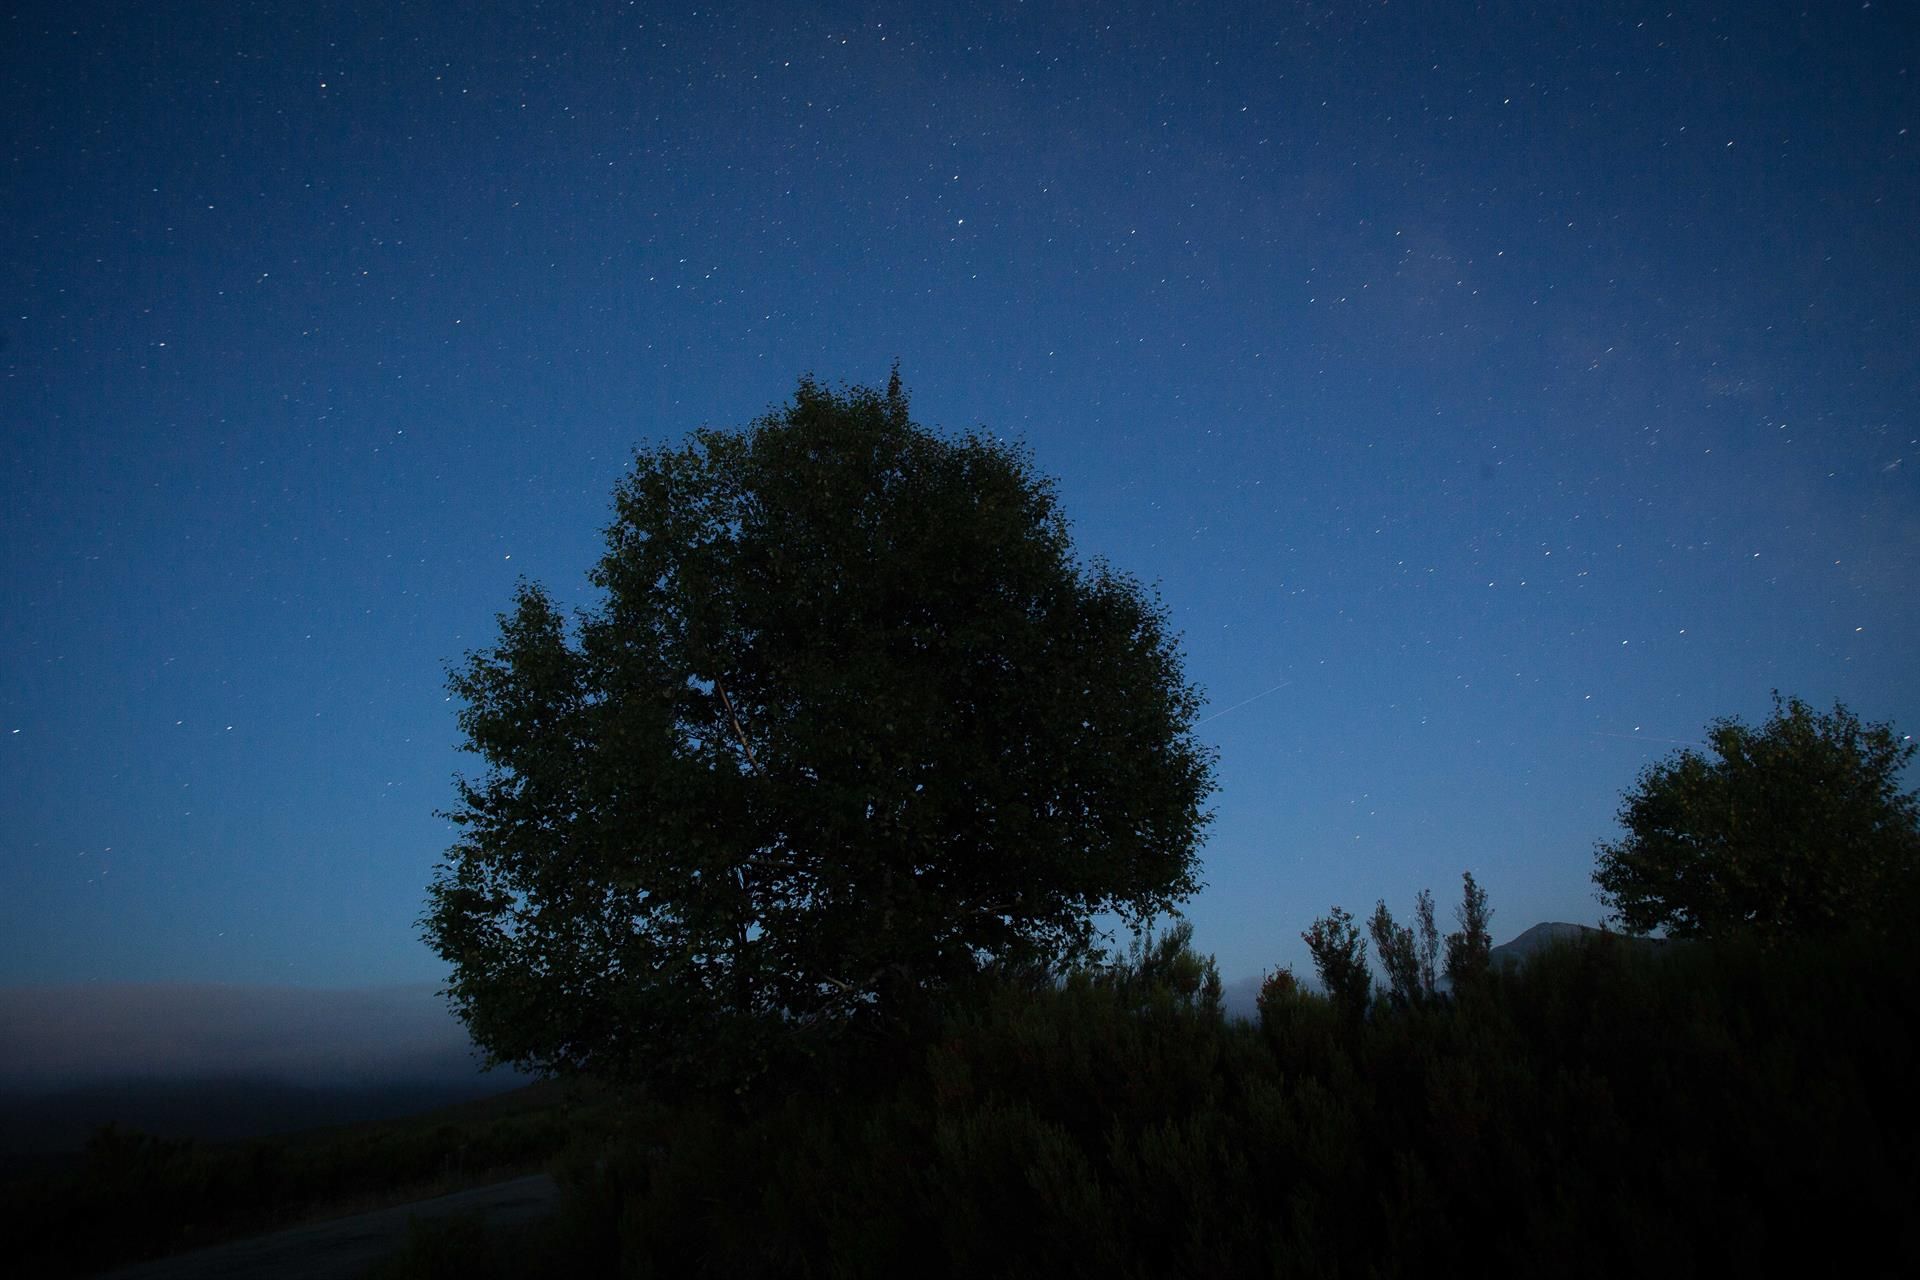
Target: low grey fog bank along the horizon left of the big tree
<point x="64" y="1037"/>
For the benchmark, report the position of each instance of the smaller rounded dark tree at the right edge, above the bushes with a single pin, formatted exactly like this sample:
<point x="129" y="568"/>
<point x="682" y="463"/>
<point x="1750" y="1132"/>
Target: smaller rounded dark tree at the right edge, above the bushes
<point x="1790" y="830"/>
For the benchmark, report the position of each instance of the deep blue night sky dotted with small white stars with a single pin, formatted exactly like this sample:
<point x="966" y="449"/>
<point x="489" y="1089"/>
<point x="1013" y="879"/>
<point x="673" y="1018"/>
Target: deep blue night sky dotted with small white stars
<point x="1497" y="394"/>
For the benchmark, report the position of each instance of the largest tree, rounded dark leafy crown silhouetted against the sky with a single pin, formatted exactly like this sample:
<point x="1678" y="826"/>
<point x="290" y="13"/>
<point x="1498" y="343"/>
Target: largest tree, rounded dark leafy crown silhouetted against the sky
<point x="848" y="724"/>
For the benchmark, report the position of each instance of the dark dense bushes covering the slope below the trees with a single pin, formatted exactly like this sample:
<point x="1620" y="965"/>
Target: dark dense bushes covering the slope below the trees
<point x="1595" y="1112"/>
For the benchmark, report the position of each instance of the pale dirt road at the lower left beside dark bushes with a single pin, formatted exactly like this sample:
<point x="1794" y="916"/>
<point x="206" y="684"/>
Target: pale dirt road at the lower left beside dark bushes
<point x="345" y="1248"/>
